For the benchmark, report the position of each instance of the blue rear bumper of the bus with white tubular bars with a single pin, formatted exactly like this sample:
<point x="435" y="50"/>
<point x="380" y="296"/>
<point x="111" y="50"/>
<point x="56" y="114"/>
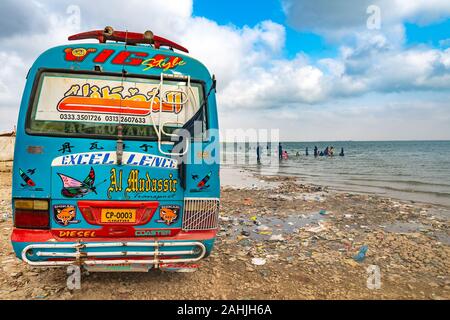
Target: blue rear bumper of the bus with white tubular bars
<point x="116" y="255"/>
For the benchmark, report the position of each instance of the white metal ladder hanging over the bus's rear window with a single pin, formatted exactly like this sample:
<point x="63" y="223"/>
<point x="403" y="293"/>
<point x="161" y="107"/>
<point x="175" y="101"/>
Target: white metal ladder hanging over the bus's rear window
<point x="187" y="98"/>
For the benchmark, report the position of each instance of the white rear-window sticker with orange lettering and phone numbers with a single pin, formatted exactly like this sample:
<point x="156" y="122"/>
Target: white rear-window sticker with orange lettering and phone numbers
<point x="109" y="100"/>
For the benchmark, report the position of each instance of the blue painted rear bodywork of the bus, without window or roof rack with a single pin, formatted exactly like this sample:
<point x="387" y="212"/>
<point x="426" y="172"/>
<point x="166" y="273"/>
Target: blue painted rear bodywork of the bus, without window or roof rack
<point x="75" y="172"/>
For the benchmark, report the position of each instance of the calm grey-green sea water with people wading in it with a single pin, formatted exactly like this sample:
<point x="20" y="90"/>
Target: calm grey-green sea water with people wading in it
<point x="408" y="170"/>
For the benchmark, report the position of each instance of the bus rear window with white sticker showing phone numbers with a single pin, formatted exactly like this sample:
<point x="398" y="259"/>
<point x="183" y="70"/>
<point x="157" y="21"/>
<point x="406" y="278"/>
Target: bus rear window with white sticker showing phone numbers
<point x="80" y="104"/>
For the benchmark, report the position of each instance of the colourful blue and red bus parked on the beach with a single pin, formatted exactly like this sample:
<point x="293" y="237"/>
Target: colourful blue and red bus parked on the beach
<point x="115" y="163"/>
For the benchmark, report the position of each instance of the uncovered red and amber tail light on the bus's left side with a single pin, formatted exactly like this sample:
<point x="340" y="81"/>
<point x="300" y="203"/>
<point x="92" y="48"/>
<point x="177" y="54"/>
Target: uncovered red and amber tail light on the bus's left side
<point x="31" y="214"/>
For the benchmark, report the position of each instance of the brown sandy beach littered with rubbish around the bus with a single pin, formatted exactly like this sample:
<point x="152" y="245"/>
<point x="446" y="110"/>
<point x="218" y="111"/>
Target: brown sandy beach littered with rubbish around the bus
<point x="279" y="239"/>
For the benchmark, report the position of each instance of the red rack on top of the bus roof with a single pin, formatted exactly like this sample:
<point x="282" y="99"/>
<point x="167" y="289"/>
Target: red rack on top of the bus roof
<point x="129" y="37"/>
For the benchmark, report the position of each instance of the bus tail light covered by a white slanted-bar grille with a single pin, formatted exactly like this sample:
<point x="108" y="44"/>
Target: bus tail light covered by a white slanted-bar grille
<point x="200" y="214"/>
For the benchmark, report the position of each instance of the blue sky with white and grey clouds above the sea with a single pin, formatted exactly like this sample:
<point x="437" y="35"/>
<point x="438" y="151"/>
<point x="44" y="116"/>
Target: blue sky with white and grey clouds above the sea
<point x="314" y="69"/>
